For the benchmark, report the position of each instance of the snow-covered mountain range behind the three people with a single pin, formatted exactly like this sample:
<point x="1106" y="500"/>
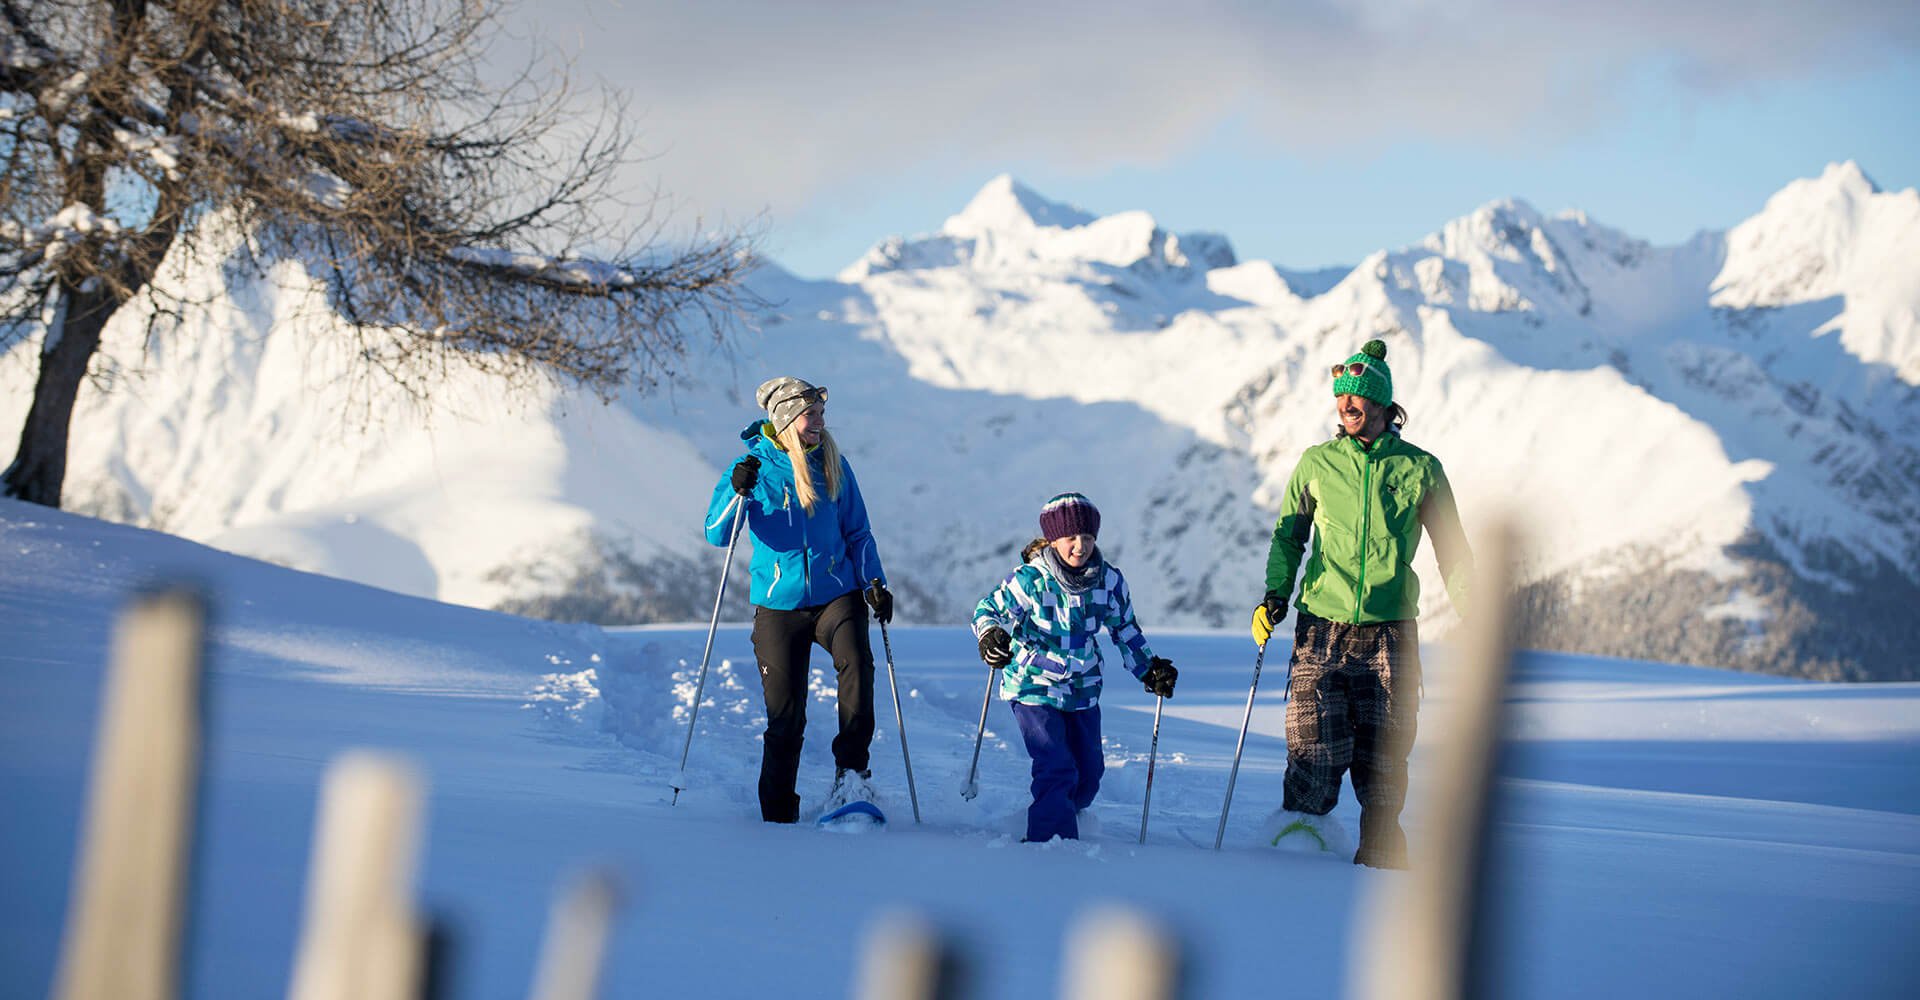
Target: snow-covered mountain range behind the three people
<point x="1710" y="446"/>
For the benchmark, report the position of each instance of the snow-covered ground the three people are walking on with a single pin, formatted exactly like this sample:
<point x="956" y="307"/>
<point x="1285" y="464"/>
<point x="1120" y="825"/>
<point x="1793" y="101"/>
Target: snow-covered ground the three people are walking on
<point x="1669" y="832"/>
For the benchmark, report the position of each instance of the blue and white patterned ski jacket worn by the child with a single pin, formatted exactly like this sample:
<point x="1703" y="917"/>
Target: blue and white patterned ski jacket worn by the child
<point x="1057" y="659"/>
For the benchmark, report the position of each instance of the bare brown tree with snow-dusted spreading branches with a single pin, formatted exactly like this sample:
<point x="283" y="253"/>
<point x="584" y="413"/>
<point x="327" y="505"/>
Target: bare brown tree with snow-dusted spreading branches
<point x="452" y="220"/>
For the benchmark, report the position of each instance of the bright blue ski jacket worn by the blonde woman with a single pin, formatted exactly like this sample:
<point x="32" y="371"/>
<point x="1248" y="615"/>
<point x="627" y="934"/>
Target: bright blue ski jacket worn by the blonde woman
<point x="800" y="560"/>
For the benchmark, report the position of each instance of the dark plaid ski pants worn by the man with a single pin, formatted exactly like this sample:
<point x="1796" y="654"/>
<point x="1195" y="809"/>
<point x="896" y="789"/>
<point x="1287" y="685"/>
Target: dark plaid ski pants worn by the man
<point x="1353" y="705"/>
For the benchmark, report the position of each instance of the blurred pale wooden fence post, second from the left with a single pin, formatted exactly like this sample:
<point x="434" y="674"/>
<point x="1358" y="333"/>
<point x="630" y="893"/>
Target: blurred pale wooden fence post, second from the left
<point x="362" y="938"/>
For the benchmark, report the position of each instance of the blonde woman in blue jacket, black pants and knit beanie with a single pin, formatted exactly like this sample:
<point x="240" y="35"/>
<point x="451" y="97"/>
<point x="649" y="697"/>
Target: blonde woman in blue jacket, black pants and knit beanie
<point x="813" y="563"/>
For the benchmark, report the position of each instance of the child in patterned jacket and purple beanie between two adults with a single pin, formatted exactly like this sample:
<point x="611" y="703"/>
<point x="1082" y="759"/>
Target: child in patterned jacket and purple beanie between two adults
<point x="1042" y="627"/>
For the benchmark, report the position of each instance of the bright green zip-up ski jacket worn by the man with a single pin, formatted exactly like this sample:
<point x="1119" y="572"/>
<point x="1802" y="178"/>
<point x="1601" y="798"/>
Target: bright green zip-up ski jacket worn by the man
<point x="1364" y="510"/>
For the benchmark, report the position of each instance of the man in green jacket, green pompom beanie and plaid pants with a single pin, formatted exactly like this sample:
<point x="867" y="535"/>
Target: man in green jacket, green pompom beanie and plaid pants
<point x="1364" y="500"/>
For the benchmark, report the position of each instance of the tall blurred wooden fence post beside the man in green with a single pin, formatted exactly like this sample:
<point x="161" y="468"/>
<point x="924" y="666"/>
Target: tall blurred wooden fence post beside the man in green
<point x="1420" y="938"/>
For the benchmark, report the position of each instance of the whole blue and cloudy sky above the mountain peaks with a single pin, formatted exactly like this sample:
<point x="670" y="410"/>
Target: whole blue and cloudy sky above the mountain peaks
<point x="1310" y="133"/>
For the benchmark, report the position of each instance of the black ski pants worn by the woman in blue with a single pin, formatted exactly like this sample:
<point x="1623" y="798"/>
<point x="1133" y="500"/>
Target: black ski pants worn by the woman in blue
<point x="782" y="644"/>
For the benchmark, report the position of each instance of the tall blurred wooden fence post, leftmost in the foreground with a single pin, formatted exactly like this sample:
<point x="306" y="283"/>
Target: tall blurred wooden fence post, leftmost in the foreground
<point x="130" y="876"/>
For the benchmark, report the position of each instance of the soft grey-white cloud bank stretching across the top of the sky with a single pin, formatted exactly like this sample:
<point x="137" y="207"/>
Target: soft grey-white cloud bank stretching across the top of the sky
<point x="759" y="105"/>
